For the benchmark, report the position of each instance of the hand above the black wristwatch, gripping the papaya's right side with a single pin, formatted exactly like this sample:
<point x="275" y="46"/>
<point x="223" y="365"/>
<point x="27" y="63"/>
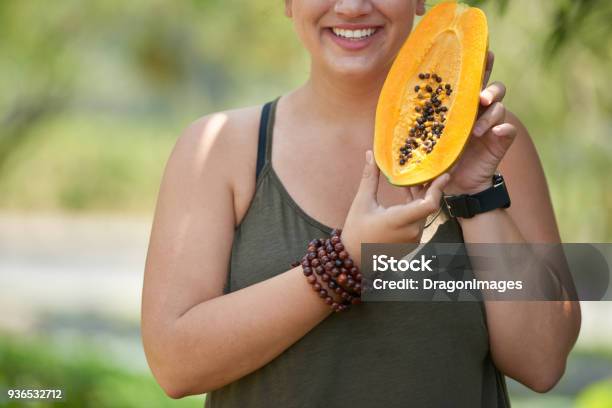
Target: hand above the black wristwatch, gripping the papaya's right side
<point x="491" y="138"/>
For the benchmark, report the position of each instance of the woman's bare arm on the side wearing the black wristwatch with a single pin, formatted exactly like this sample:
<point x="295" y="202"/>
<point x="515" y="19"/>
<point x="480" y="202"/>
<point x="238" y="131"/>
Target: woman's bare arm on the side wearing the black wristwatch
<point x="529" y="341"/>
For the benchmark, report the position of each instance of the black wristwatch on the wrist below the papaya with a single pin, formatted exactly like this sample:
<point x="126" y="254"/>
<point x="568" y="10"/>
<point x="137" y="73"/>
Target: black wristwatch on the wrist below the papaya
<point x="469" y="205"/>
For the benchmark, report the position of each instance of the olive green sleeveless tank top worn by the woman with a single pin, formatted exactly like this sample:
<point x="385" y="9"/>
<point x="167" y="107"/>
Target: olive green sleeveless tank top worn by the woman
<point x="387" y="354"/>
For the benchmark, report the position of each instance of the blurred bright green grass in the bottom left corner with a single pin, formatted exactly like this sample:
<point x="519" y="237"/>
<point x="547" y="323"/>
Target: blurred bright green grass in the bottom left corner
<point x="87" y="379"/>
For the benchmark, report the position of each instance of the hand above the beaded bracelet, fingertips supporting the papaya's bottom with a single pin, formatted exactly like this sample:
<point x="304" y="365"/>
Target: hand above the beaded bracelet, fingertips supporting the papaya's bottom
<point x="369" y="222"/>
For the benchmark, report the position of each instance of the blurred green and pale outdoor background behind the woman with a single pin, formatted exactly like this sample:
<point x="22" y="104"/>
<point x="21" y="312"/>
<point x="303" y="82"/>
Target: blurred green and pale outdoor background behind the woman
<point x="94" y="95"/>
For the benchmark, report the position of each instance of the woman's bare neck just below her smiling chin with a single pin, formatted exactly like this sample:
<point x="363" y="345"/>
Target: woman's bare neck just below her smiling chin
<point x="343" y="98"/>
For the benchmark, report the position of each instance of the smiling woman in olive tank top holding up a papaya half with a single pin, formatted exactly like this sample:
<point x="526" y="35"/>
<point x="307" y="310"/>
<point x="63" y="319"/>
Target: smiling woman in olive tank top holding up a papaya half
<point x="223" y="312"/>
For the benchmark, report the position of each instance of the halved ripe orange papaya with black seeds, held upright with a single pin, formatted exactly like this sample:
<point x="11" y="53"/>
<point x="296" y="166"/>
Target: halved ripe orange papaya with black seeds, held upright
<point x="430" y="97"/>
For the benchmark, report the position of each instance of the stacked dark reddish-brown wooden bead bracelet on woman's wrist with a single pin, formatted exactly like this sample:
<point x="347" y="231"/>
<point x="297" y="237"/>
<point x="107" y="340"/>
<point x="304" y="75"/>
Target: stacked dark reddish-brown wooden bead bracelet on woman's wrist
<point x="327" y="265"/>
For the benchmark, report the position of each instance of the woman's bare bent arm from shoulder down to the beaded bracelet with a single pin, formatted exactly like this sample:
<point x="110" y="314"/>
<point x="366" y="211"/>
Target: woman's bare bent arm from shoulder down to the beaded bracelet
<point x="195" y="339"/>
